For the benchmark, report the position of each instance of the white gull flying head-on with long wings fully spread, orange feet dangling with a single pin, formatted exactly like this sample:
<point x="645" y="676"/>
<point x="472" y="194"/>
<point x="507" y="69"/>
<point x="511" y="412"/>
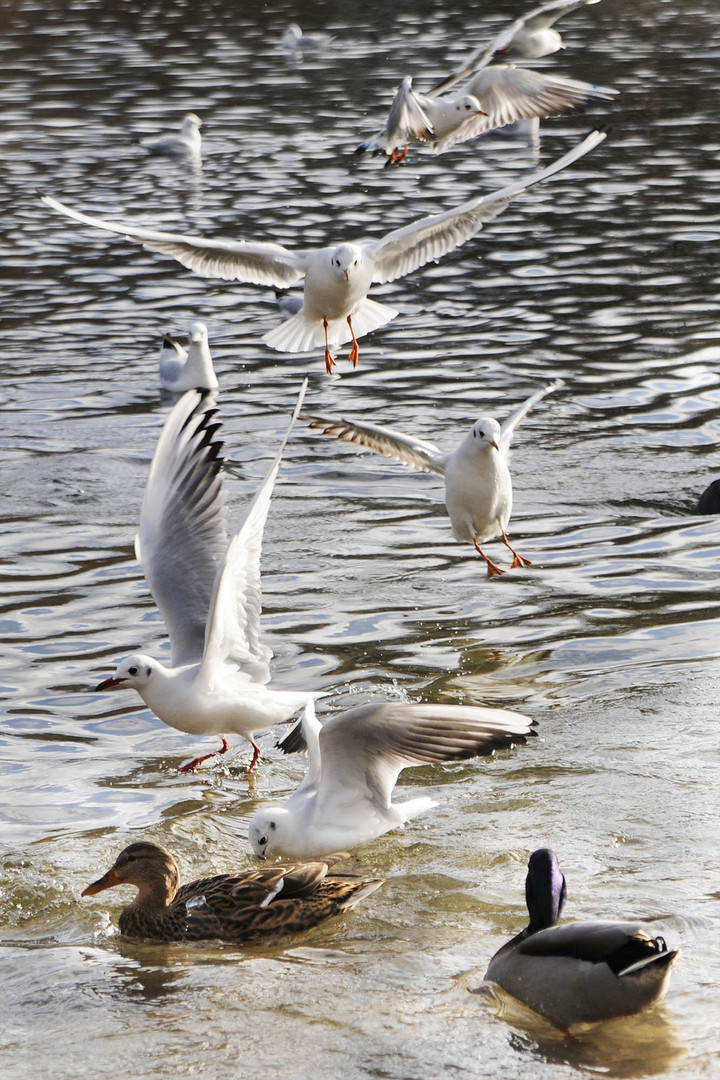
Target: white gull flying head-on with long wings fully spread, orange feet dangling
<point x="336" y="307"/>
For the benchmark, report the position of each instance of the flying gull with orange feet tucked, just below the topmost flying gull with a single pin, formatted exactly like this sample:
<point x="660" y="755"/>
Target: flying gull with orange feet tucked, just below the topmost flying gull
<point x="496" y="97"/>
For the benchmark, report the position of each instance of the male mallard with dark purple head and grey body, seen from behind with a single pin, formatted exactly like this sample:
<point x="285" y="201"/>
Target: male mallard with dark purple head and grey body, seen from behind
<point x="581" y="973"/>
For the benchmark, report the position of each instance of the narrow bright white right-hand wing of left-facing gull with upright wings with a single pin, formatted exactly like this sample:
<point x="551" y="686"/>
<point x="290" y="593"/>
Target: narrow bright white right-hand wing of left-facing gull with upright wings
<point x="234" y="623"/>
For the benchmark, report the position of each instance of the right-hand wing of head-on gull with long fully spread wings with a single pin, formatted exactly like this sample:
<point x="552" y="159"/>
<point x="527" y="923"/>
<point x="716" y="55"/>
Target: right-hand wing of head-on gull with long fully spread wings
<point x="414" y="246"/>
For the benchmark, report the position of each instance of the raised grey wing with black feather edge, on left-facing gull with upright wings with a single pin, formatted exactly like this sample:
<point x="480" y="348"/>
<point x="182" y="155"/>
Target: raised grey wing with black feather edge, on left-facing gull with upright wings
<point x="183" y="538"/>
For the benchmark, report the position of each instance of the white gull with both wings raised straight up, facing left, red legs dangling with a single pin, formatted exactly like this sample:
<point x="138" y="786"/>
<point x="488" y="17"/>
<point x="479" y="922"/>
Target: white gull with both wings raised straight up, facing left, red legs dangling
<point x="208" y="590"/>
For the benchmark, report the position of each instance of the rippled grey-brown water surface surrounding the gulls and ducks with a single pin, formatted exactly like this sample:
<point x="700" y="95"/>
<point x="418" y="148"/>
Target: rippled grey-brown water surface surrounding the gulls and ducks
<point x="607" y="278"/>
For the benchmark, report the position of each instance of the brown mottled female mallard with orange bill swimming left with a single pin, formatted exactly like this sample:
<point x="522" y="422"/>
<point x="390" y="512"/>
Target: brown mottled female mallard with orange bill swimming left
<point x="253" y="906"/>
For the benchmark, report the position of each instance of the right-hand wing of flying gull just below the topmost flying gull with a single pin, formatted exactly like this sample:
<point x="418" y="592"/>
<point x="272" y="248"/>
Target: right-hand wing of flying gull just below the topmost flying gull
<point x="509" y="93"/>
